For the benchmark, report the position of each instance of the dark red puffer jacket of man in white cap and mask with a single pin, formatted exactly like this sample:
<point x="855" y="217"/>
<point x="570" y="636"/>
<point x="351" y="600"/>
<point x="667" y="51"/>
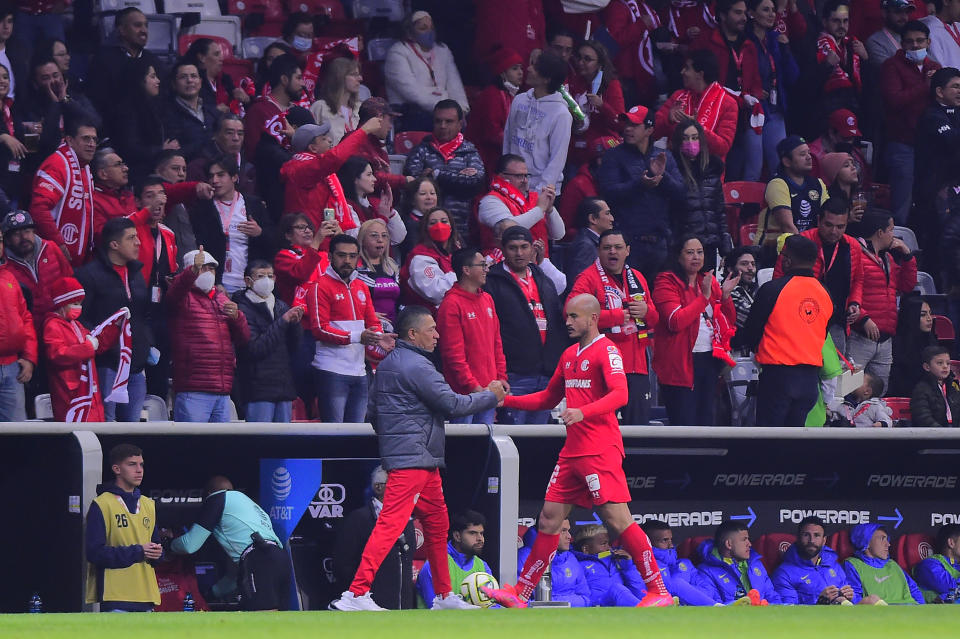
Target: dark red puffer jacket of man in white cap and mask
<point x="203" y="337"/>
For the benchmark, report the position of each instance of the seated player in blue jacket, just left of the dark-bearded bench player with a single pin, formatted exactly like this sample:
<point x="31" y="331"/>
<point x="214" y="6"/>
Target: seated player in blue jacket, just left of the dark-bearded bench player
<point x="731" y="568"/>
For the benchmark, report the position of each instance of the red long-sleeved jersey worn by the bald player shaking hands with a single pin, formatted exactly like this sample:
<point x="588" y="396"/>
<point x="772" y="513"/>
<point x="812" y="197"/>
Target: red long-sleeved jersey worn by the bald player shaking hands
<point x="593" y="381"/>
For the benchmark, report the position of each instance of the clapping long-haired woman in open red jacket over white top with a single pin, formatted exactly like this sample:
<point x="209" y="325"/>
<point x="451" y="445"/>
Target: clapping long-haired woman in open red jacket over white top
<point x="697" y="320"/>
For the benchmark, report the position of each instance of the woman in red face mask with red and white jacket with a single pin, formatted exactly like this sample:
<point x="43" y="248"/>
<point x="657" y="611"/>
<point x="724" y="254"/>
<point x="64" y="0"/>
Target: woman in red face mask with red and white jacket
<point x="428" y="274"/>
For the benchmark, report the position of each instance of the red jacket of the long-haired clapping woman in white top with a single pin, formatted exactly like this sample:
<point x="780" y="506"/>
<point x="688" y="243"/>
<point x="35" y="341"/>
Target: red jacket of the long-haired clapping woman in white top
<point x="680" y="307"/>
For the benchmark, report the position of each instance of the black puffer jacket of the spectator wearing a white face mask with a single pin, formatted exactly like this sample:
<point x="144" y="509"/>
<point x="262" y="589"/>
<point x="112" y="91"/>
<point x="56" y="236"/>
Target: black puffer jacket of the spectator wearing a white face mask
<point x="263" y="365"/>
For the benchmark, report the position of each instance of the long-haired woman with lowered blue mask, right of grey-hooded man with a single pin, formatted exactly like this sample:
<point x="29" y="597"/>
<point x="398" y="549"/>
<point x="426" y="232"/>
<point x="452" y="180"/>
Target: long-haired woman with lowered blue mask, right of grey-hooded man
<point x="597" y="90"/>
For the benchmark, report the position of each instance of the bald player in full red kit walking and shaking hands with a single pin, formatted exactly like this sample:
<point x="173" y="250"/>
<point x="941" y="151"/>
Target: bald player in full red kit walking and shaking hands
<point x="589" y="472"/>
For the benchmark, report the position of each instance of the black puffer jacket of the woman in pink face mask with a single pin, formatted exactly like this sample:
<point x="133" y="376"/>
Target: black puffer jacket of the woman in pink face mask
<point x="702" y="211"/>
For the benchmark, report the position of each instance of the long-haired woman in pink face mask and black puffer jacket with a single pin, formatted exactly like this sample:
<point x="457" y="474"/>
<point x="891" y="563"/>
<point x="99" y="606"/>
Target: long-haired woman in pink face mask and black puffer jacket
<point x="702" y="213"/>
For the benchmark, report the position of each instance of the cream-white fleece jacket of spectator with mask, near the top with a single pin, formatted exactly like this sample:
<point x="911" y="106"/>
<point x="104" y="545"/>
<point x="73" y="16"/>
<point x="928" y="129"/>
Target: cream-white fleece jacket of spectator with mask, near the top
<point x="408" y="77"/>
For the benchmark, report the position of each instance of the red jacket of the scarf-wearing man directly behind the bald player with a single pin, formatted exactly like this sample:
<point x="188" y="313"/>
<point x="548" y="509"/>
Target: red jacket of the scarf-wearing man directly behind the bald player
<point x="612" y="316"/>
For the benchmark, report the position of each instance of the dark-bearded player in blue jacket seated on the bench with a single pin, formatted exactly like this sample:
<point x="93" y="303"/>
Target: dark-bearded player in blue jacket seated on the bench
<point x="810" y="572"/>
